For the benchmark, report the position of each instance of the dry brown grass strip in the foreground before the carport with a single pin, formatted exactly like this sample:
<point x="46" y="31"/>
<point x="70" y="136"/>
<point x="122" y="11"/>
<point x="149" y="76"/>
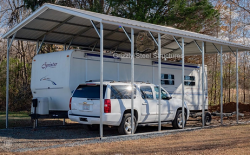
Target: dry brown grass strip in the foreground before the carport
<point x="229" y="140"/>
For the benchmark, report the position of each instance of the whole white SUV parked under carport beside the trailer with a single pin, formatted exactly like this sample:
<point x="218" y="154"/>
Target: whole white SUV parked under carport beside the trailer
<point x="85" y="105"/>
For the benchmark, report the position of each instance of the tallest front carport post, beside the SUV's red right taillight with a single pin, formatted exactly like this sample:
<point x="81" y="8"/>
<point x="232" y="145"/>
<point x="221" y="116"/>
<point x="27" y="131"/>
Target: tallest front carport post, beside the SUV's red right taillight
<point x="101" y="80"/>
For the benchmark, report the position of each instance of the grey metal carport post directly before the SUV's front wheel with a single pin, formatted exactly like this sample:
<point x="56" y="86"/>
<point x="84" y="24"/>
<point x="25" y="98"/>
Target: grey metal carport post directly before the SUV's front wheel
<point x="182" y="94"/>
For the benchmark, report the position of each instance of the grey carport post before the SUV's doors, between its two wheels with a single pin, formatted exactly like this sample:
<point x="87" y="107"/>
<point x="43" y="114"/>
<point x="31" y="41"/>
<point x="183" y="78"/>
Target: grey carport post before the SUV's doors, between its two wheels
<point x="159" y="80"/>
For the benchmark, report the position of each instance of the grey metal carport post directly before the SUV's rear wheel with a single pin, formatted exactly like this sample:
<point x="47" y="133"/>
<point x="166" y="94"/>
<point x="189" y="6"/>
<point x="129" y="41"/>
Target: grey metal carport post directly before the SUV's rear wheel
<point x="132" y="79"/>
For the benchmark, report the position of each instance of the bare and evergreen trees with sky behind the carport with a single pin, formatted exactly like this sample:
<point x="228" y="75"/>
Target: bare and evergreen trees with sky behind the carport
<point x="225" y="19"/>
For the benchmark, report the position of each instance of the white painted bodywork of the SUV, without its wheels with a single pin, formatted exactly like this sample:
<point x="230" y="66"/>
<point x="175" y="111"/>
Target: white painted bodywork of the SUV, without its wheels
<point x="146" y="108"/>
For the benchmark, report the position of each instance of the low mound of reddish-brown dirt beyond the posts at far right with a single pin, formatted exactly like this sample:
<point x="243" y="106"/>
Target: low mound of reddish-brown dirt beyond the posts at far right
<point x="231" y="107"/>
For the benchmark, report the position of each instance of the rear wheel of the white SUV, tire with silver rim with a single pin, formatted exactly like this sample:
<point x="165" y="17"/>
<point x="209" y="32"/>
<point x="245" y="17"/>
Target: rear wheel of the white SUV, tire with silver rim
<point x="124" y="129"/>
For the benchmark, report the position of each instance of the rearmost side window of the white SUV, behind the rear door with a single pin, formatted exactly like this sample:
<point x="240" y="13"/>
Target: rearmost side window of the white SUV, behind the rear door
<point x="121" y="92"/>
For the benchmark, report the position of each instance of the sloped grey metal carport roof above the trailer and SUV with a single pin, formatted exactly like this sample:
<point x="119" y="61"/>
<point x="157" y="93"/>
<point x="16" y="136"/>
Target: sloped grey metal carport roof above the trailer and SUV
<point x="62" y="24"/>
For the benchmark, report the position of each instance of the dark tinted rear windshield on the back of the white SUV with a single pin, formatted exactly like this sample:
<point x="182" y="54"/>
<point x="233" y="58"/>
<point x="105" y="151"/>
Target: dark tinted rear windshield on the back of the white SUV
<point x="92" y="92"/>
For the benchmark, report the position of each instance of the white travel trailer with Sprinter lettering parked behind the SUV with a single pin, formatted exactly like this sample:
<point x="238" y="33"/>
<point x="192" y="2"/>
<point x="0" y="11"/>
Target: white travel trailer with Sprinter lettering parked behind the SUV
<point x="56" y="75"/>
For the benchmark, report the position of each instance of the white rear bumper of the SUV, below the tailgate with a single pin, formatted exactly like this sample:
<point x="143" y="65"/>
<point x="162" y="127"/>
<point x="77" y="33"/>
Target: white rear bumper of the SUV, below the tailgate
<point x="113" y="119"/>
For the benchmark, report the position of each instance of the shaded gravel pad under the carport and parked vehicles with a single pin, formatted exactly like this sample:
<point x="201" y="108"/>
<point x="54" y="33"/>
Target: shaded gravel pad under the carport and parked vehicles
<point x="27" y="139"/>
